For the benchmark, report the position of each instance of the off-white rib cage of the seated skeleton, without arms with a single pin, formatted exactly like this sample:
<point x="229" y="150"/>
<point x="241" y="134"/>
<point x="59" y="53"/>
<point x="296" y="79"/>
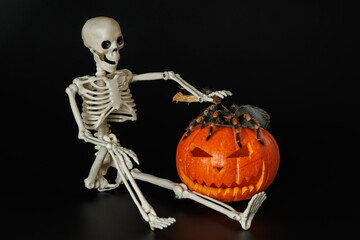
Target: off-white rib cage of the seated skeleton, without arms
<point x="106" y="98"/>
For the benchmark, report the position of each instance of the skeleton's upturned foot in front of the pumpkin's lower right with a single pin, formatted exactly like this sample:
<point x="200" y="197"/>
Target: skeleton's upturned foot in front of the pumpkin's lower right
<point x="247" y="216"/>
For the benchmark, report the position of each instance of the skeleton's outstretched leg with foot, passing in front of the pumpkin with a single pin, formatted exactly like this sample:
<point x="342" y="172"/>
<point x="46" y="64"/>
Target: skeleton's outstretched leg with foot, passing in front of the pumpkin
<point x="181" y="191"/>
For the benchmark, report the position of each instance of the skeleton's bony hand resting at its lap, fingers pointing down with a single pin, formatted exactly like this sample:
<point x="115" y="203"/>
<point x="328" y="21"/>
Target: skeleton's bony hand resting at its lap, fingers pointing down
<point x="112" y="144"/>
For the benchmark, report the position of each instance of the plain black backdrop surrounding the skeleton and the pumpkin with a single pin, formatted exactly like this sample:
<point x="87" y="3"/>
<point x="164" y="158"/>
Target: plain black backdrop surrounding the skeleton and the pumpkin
<point x="295" y="59"/>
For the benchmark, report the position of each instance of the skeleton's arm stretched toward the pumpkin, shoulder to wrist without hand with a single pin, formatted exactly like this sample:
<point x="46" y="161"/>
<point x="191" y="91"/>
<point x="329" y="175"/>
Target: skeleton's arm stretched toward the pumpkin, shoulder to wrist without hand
<point x="175" y="77"/>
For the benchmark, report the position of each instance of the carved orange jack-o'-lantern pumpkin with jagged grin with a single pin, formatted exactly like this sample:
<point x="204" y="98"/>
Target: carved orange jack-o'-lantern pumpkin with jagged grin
<point x="220" y="169"/>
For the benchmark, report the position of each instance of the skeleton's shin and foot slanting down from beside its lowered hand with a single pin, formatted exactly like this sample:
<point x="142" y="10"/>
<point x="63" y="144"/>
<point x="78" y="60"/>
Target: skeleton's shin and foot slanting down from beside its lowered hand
<point x="145" y="208"/>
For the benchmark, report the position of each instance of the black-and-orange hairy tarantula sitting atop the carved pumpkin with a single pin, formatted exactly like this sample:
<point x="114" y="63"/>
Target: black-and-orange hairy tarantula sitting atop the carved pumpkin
<point x="236" y="116"/>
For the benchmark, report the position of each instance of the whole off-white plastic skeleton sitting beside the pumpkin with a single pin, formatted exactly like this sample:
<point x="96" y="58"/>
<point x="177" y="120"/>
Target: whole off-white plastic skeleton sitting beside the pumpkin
<point x="107" y="98"/>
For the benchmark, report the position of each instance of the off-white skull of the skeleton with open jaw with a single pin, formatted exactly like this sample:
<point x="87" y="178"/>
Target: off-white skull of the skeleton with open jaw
<point x="102" y="35"/>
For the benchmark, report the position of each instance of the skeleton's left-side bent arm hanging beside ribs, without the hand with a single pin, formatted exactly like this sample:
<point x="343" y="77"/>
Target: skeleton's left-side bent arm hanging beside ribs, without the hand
<point x="83" y="133"/>
